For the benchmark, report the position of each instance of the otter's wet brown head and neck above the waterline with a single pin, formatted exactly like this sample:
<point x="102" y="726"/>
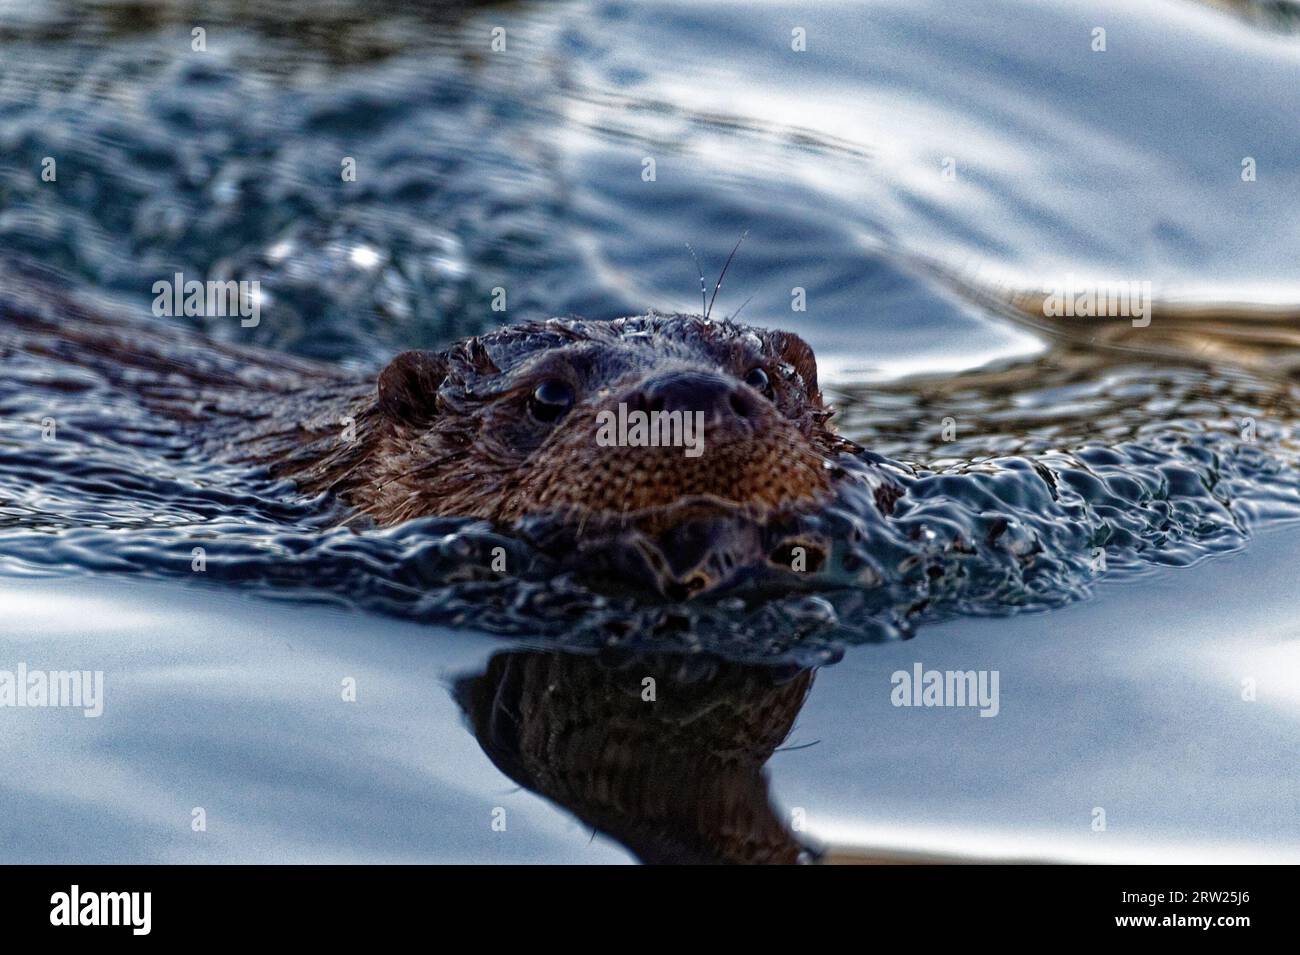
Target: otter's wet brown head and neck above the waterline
<point x="505" y="426"/>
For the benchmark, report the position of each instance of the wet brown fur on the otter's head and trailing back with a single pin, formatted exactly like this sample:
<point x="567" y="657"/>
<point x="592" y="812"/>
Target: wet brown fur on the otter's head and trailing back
<point x="450" y="433"/>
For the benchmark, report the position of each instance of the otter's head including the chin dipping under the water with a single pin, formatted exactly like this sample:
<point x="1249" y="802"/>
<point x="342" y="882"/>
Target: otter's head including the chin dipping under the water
<point x="683" y="432"/>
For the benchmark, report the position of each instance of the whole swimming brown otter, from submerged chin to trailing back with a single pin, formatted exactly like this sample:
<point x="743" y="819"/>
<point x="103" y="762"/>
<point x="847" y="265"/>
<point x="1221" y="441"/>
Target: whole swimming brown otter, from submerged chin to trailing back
<point x="505" y="427"/>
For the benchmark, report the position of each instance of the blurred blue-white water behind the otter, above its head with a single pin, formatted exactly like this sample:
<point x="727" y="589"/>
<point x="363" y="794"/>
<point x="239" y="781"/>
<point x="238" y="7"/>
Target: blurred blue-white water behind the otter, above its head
<point x="523" y="168"/>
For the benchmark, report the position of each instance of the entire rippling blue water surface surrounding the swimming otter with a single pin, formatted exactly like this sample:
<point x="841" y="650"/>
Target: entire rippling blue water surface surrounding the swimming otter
<point x="523" y="171"/>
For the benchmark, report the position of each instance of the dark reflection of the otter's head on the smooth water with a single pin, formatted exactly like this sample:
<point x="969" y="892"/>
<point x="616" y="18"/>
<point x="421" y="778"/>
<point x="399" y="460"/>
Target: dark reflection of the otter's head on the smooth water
<point x="662" y="753"/>
